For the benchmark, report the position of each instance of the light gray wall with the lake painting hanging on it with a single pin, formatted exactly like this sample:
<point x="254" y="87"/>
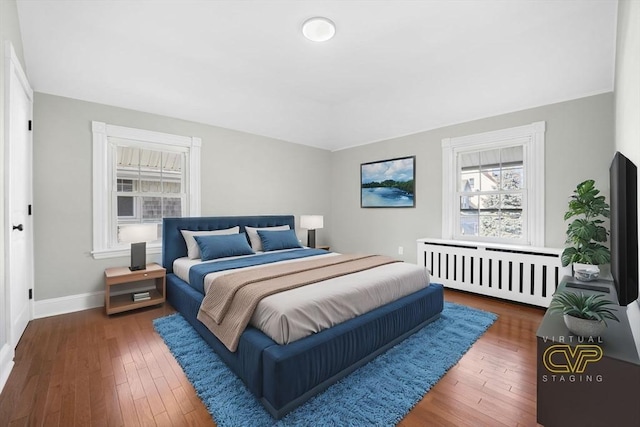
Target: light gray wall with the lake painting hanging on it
<point x="579" y="144"/>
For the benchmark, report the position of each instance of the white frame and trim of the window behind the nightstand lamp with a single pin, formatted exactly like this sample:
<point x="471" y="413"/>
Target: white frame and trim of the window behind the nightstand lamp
<point x="104" y="203"/>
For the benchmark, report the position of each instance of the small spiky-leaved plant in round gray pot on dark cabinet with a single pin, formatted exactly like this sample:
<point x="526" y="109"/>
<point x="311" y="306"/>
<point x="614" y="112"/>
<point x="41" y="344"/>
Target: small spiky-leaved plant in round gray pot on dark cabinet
<point x="584" y="315"/>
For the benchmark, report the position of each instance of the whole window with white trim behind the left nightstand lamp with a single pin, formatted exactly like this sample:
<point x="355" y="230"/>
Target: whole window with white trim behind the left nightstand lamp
<point x="140" y="177"/>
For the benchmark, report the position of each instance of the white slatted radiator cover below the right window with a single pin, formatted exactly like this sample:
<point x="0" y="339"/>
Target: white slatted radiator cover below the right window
<point x="516" y="273"/>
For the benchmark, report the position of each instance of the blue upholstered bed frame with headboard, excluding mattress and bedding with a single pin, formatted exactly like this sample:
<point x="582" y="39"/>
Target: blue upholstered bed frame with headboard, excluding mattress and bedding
<point x="283" y="376"/>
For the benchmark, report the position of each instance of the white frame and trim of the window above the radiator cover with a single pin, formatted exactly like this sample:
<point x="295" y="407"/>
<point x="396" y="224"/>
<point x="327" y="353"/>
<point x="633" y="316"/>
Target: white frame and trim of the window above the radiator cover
<point x="531" y="138"/>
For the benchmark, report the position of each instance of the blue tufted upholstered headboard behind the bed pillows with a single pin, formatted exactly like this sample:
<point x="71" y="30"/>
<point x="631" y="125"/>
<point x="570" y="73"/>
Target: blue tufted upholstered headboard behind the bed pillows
<point x="173" y="245"/>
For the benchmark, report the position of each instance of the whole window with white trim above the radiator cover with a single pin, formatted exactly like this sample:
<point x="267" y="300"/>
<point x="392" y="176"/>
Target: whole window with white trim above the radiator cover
<point x="493" y="186"/>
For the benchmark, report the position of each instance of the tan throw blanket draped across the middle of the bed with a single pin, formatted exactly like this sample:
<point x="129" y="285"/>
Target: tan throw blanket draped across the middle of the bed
<point x="232" y="298"/>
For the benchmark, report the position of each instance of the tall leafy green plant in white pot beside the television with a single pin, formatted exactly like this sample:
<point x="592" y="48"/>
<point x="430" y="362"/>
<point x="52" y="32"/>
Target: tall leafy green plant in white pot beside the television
<point x="586" y="232"/>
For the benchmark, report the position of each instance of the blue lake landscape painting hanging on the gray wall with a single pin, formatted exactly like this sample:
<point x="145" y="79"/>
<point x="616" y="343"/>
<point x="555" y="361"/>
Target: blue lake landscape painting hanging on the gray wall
<point x="388" y="183"/>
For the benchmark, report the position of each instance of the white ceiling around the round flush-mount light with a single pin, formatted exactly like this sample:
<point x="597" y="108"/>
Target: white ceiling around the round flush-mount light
<point x="394" y="67"/>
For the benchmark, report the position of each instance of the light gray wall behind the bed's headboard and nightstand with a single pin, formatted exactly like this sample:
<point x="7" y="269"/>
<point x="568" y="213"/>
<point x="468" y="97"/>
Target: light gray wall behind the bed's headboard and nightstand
<point x="242" y="174"/>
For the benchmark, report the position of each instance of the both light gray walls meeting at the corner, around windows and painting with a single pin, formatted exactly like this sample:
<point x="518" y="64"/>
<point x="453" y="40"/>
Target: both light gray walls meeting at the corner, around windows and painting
<point x="245" y="174"/>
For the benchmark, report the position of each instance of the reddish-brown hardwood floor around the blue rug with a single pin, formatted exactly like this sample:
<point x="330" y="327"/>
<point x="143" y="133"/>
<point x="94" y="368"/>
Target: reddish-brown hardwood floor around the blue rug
<point x="87" y="369"/>
